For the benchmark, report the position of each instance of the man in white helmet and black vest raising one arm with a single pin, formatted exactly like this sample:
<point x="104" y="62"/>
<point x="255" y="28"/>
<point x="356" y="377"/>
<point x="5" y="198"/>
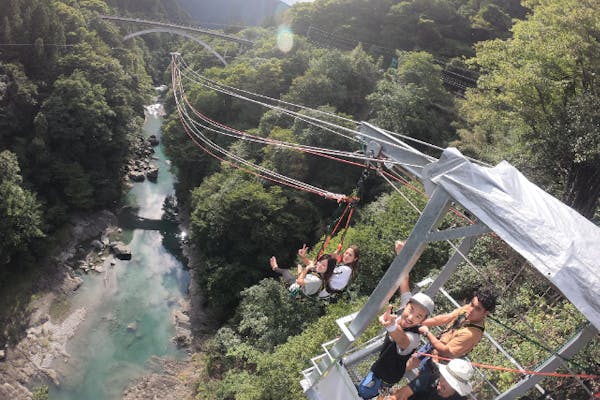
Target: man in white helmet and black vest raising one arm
<point x="401" y="340"/>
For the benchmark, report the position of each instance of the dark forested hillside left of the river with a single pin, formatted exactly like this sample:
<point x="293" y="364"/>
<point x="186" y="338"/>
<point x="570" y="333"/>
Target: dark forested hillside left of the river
<point x="71" y="104"/>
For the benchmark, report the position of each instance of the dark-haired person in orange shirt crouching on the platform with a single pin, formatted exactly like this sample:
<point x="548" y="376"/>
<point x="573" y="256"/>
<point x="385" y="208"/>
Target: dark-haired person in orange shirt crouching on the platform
<point x="464" y="329"/>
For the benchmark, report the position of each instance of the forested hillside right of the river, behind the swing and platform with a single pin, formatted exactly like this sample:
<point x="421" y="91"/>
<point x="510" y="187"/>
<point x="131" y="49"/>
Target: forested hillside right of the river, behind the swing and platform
<point x="527" y="81"/>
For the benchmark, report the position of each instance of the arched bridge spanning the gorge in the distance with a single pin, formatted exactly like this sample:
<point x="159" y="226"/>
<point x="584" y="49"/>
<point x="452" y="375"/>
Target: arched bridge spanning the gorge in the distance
<point x="181" y="30"/>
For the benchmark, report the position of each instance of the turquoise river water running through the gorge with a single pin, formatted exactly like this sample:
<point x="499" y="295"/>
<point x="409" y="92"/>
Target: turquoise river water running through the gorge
<point x="130" y="305"/>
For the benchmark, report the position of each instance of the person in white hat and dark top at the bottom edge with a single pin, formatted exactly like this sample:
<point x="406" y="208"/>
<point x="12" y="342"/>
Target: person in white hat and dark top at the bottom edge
<point x="453" y="382"/>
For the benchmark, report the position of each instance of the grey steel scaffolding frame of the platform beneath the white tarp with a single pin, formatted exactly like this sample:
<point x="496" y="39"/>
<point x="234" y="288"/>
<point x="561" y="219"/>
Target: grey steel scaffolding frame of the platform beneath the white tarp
<point x="329" y="377"/>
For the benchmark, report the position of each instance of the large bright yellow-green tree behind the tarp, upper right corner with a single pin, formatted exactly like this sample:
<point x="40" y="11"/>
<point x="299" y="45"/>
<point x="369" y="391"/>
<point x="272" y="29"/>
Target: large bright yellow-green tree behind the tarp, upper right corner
<point x="537" y="101"/>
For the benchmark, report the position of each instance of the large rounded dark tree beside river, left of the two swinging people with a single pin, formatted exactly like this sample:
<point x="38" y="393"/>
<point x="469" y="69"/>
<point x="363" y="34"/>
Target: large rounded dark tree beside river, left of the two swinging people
<point x="236" y="225"/>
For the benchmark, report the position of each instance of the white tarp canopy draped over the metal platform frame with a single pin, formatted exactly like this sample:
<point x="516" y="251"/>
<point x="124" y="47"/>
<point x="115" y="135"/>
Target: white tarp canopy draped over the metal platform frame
<point x="559" y="242"/>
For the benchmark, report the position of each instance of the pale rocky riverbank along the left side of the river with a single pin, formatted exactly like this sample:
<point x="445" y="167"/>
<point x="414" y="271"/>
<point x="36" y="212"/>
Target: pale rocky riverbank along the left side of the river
<point x="50" y="326"/>
